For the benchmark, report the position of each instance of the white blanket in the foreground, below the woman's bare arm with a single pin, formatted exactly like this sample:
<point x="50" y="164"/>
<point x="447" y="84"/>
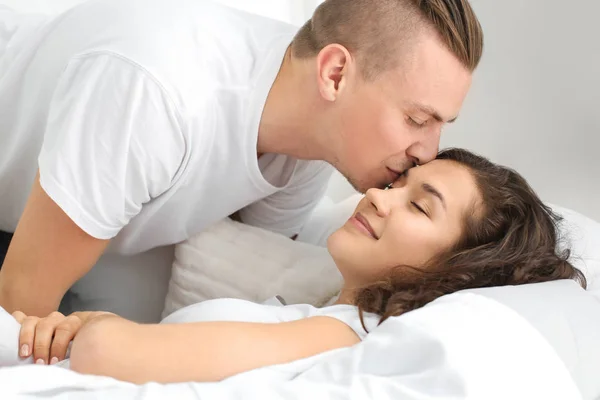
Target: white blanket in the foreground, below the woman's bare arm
<point x="463" y="346"/>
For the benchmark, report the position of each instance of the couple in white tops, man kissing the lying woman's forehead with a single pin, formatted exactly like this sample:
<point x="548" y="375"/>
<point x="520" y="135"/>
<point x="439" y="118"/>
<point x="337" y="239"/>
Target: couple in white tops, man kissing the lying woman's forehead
<point x="136" y="135"/>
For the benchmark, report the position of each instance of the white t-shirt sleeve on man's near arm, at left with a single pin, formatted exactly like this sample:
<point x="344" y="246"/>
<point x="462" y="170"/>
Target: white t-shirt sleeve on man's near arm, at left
<point x="112" y="143"/>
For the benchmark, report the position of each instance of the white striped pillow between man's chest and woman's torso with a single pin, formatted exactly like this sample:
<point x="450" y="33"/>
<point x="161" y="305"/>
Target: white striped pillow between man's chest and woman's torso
<point x="235" y="260"/>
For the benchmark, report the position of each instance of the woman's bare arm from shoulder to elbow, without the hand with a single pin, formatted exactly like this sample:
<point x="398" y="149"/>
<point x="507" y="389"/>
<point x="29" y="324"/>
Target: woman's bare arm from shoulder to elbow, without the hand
<point x="203" y="351"/>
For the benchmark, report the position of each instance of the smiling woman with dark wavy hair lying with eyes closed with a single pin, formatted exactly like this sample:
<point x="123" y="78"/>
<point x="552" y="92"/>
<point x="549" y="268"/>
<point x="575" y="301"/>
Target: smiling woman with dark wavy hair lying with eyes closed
<point x="456" y="223"/>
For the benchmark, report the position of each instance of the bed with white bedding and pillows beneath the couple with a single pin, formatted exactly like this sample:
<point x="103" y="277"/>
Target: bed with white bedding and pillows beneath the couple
<point x="541" y="338"/>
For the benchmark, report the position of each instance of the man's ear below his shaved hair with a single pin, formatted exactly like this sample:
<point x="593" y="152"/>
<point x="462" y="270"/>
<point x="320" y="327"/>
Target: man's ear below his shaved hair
<point x="334" y="64"/>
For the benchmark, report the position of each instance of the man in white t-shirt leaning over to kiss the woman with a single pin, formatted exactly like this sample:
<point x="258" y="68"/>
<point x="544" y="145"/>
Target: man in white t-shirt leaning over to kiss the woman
<point x="141" y="122"/>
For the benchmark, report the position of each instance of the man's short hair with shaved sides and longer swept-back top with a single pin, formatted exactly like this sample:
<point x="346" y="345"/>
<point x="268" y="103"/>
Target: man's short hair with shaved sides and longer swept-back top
<point x="376" y="31"/>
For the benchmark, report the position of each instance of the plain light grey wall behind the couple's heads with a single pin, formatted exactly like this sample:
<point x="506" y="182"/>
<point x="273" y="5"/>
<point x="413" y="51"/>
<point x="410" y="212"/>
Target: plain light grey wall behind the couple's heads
<point x="535" y="102"/>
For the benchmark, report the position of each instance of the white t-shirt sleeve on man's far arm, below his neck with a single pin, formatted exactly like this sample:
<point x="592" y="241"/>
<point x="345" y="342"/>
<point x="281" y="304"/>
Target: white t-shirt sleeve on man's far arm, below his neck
<point x="287" y="210"/>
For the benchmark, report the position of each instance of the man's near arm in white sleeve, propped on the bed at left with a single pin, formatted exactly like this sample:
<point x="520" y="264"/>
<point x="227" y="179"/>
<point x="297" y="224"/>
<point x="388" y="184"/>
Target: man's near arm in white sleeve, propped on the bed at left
<point x="112" y="143"/>
